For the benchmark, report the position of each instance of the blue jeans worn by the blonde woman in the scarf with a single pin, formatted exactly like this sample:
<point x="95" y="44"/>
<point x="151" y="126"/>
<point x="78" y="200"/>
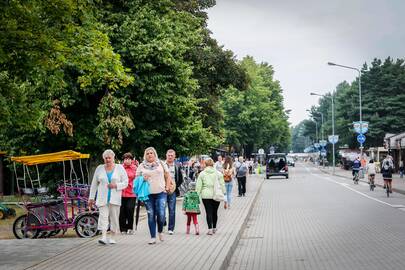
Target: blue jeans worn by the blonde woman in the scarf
<point x="156" y="207"/>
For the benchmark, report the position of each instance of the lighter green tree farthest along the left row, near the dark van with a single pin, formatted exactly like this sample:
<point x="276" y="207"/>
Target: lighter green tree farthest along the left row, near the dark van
<point x="255" y="117"/>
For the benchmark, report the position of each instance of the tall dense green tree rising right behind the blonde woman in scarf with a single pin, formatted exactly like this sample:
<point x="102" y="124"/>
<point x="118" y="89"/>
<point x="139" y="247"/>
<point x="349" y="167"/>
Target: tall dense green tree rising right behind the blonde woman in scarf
<point x="155" y="40"/>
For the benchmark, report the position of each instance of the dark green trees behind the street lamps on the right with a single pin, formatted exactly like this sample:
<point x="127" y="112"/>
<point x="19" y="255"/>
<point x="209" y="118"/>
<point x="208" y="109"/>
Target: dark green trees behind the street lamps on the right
<point x="383" y="96"/>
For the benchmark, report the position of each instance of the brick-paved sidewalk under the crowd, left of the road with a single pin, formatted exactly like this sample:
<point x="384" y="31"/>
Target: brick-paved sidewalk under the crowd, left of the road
<point x="178" y="251"/>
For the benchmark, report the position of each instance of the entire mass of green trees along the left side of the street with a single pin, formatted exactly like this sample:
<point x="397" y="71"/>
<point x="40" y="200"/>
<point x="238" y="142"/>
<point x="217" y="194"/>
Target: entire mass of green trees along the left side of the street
<point x="90" y="75"/>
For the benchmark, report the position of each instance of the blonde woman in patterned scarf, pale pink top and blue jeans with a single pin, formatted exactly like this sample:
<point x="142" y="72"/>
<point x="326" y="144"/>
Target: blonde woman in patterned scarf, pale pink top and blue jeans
<point x="157" y="174"/>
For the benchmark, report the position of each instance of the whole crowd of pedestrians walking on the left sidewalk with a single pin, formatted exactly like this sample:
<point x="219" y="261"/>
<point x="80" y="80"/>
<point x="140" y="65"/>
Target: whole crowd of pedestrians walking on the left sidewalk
<point x="117" y="189"/>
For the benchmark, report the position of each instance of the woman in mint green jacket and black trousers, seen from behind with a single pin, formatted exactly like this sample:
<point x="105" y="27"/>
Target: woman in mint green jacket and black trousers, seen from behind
<point x="205" y="189"/>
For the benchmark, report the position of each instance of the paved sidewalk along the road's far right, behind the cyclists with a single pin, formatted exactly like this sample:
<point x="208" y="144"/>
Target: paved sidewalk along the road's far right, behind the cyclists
<point x="398" y="184"/>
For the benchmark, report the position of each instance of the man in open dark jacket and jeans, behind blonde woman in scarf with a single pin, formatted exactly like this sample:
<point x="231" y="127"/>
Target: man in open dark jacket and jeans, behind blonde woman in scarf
<point x="177" y="175"/>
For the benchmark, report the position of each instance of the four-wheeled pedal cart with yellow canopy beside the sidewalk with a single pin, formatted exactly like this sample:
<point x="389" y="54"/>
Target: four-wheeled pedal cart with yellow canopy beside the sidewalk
<point x="47" y="216"/>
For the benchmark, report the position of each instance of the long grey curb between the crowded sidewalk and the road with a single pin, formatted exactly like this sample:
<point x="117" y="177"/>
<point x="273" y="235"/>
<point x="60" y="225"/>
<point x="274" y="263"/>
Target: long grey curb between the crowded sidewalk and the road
<point x="227" y="258"/>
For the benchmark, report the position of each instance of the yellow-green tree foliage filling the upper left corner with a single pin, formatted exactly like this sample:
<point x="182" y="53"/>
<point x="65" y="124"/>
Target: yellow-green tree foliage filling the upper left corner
<point x="52" y="51"/>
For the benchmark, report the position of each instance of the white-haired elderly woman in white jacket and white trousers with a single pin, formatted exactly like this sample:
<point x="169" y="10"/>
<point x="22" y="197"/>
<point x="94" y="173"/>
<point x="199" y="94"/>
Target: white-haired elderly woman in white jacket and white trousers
<point x="108" y="181"/>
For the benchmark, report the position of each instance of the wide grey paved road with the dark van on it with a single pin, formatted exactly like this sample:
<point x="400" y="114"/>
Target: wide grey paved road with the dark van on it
<point x="317" y="221"/>
